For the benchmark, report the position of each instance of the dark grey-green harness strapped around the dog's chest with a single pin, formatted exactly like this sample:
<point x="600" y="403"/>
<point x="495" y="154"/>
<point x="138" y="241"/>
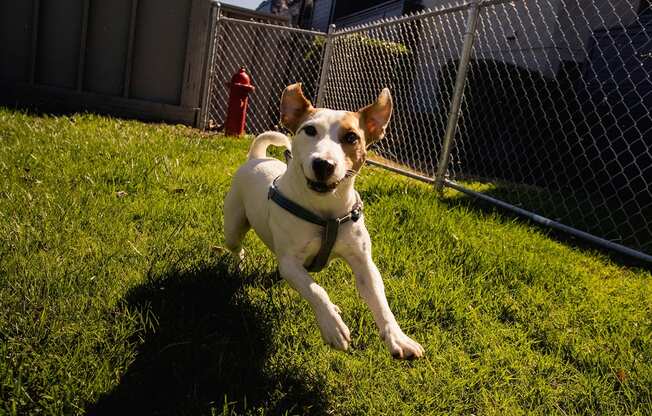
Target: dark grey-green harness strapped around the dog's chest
<point x="331" y="225"/>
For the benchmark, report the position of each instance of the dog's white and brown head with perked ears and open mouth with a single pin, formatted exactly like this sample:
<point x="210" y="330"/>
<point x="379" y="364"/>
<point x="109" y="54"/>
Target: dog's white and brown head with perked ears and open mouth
<point x="330" y="145"/>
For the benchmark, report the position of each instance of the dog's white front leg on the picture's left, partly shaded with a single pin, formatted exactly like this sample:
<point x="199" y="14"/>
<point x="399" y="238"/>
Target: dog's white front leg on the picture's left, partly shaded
<point x="333" y="330"/>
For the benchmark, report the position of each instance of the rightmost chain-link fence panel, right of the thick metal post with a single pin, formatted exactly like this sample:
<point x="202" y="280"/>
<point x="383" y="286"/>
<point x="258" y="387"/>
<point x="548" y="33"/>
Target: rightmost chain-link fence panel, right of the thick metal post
<point x="557" y="116"/>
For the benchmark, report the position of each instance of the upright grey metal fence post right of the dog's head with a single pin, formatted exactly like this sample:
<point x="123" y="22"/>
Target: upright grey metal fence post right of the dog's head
<point x="458" y="94"/>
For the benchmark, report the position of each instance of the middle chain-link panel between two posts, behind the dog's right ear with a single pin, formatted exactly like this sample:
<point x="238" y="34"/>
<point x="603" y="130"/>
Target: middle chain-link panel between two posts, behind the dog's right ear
<point x="392" y="54"/>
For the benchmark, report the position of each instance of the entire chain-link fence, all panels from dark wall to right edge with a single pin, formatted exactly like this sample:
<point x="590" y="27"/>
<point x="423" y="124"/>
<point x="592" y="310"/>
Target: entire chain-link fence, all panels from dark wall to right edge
<point x="555" y="119"/>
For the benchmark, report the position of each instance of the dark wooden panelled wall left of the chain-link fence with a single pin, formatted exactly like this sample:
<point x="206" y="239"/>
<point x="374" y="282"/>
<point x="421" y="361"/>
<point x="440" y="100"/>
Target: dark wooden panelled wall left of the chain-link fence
<point x="134" y="58"/>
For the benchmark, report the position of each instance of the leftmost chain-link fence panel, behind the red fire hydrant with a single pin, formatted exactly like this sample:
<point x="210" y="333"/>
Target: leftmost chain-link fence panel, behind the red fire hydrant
<point x="274" y="56"/>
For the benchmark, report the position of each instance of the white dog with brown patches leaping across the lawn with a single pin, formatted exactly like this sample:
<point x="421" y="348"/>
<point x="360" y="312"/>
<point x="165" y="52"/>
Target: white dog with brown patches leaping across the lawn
<point x="328" y="149"/>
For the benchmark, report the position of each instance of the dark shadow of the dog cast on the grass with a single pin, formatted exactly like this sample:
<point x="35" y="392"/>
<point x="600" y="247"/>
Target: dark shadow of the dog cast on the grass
<point x="209" y="347"/>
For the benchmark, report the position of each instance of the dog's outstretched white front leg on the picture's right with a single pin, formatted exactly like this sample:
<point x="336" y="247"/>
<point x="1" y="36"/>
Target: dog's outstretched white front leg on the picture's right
<point x="372" y="290"/>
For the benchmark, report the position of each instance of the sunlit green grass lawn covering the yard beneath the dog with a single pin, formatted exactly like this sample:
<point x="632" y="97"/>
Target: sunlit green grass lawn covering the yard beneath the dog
<point x="117" y="297"/>
